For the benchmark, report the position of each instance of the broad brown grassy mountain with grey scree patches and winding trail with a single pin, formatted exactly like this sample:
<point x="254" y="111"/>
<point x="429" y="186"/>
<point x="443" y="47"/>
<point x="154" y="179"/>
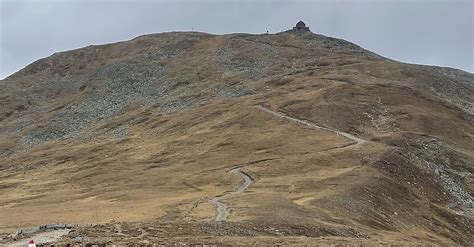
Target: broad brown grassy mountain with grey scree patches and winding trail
<point x="188" y="137"/>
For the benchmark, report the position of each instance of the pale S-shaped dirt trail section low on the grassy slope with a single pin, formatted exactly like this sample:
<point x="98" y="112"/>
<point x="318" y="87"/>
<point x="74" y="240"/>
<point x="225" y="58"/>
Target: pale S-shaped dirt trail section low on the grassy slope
<point x="222" y="208"/>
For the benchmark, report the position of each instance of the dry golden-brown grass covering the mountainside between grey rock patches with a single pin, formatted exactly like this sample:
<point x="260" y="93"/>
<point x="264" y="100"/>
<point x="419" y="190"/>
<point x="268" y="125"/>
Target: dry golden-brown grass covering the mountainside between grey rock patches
<point x="171" y="164"/>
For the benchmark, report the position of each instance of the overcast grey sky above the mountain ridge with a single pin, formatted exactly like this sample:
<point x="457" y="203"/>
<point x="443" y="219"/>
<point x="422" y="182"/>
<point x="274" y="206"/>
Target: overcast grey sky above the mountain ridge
<point x="438" y="32"/>
